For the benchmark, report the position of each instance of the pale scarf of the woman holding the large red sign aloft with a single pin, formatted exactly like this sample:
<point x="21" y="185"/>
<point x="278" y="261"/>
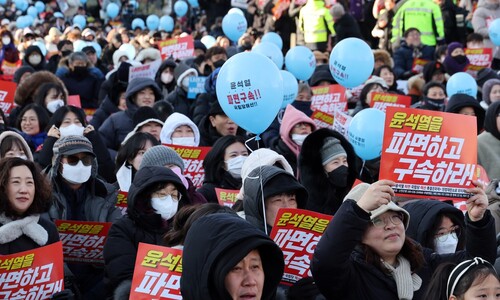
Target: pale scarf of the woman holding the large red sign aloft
<point x="406" y="281"/>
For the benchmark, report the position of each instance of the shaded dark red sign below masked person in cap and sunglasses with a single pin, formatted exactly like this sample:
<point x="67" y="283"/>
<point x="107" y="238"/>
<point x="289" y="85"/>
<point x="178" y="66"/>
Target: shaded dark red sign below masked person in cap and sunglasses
<point x="83" y="242"/>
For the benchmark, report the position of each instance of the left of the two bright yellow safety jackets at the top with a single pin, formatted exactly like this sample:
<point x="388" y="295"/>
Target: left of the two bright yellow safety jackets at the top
<point x="316" y="23"/>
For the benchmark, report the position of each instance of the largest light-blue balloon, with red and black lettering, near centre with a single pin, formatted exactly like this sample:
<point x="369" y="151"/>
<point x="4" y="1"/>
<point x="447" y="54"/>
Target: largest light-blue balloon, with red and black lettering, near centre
<point x="255" y="102"/>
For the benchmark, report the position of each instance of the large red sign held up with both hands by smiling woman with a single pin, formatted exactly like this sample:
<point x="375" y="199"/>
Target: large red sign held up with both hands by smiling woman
<point x="428" y="153"/>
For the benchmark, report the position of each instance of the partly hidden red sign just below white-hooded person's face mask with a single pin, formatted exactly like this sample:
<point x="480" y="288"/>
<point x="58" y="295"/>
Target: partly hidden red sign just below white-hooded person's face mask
<point x="193" y="162"/>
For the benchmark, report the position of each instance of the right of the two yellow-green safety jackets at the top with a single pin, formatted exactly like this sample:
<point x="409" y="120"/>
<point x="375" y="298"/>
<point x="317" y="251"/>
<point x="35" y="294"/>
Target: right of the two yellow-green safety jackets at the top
<point x="425" y="15"/>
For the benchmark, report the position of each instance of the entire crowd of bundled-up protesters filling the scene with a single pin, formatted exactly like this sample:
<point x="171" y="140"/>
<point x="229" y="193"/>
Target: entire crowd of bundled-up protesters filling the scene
<point x="59" y="161"/>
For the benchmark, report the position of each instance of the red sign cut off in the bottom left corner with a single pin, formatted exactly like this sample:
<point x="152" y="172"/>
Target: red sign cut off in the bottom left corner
<point x="34" y="274"/>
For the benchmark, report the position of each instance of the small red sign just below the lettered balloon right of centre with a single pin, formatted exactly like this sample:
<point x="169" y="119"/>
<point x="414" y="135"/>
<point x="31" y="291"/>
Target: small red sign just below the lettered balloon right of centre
<point x="328" y="98"/>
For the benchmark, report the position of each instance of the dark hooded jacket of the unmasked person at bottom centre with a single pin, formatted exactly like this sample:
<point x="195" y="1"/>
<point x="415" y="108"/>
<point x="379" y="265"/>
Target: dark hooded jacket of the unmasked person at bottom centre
<point x="214" y="245"/>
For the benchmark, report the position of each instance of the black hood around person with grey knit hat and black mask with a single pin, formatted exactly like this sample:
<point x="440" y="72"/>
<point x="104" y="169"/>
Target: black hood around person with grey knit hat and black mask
<point x="323" y="197"/>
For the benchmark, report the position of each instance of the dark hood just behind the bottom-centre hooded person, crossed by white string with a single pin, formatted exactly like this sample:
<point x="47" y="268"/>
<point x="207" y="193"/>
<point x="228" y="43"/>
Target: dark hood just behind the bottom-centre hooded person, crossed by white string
<point x="267" y="176"/>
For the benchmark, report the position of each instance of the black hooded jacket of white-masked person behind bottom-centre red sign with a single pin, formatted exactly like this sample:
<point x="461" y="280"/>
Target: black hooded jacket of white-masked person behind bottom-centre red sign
<point x="140" y="225"/>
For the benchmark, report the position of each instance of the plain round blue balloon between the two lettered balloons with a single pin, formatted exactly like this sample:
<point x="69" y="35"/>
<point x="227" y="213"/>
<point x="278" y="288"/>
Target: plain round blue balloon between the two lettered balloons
<point x="300" y="61"/>
